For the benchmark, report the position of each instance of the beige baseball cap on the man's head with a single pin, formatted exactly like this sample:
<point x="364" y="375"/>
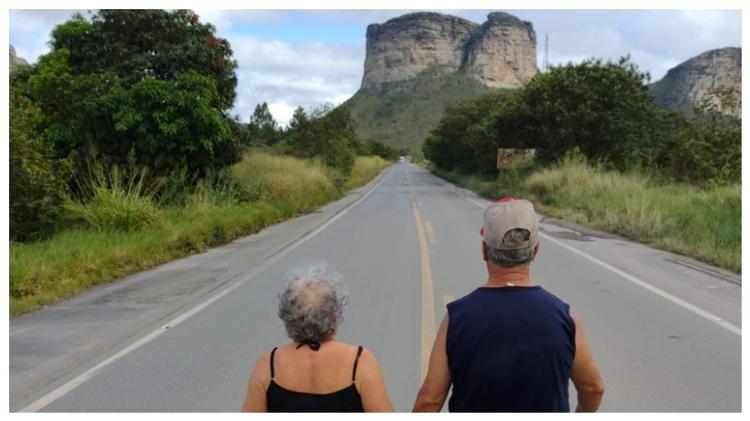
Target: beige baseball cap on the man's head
<point x="507" y="214"/>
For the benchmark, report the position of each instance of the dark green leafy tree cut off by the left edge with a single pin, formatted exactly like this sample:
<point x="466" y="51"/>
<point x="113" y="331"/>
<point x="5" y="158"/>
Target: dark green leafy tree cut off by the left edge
<point x="37" y="182"/>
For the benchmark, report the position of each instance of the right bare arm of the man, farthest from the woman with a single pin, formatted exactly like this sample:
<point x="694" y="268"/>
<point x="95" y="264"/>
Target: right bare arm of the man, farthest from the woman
<point x="585" y="374"/>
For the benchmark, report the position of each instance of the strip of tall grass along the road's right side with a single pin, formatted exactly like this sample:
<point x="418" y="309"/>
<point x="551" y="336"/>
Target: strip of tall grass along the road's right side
<point x="703" y="223"/>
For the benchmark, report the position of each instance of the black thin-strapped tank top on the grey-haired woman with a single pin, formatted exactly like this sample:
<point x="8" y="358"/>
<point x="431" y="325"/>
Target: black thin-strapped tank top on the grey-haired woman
<point x="347" y="399"/>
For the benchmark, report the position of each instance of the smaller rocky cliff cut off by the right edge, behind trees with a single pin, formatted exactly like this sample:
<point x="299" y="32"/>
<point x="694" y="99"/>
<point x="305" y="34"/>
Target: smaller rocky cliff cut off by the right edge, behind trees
<point x="686" y="84"/>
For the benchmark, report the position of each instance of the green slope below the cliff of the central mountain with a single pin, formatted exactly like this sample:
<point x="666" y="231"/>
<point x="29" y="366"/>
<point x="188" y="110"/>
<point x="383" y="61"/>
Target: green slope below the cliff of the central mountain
<point x="401" y="114"/>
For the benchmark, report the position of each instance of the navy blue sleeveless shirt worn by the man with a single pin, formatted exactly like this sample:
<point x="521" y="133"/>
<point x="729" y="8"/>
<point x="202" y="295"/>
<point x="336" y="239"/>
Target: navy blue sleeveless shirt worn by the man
<point x="510" y="349"/>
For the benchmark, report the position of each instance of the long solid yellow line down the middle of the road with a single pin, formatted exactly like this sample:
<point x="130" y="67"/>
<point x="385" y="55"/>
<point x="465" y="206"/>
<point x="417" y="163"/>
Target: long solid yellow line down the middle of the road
<point x="428" y="304"/>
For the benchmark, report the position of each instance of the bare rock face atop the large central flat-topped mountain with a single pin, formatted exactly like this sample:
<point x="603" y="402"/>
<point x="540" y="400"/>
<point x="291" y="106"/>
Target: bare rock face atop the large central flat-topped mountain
<point x="500" y="53"/>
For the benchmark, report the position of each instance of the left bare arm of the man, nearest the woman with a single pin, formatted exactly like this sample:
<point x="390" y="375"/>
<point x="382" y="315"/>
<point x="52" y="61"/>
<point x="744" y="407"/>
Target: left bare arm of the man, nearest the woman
<point x="434" y="390"/>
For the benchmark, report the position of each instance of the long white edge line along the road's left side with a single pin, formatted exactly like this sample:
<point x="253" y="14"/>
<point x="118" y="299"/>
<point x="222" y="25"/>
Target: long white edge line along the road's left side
<point x="90" y="373"/>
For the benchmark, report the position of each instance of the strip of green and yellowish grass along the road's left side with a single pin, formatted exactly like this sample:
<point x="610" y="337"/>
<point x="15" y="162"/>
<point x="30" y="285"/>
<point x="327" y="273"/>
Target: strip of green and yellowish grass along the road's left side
<point x="272" y="189"/>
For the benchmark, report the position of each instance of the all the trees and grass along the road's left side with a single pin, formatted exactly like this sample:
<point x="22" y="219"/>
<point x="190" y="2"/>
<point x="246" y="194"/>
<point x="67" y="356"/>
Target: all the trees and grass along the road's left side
<point x="120" y="165"/>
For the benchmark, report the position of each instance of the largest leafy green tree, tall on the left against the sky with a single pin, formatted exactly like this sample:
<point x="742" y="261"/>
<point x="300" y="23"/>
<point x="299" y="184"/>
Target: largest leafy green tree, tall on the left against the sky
<point x="153" y="82"/>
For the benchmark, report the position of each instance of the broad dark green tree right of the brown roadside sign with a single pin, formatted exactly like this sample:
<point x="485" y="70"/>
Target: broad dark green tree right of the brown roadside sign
<point x="604" y="109"/>
